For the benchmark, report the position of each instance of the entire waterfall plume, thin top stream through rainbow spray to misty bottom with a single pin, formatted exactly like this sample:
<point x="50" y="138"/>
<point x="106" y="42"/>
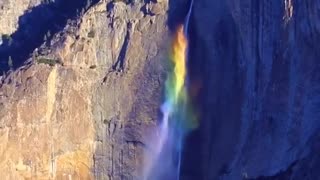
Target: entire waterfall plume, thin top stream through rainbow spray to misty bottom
<point x="164" y="156"/>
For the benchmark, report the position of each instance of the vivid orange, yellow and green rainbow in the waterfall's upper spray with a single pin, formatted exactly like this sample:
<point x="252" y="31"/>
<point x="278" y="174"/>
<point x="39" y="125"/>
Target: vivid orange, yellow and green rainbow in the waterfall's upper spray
<point x="177" y="102"/>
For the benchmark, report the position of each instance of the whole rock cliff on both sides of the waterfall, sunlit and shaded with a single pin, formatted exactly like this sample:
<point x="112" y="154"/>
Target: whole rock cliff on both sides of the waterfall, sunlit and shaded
<point x="79" y="100"/>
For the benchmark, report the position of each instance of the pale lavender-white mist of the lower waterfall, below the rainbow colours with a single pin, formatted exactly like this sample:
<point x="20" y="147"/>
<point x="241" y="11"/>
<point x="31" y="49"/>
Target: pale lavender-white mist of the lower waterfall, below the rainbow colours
<point x="160" y="157"/>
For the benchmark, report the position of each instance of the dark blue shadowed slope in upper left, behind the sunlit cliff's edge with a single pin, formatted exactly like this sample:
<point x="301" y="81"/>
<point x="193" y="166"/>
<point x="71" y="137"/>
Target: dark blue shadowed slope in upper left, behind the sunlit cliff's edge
<point x="36" y="26"/>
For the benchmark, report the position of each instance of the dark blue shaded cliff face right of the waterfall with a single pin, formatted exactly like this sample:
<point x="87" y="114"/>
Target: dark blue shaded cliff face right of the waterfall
<point x="259" y="63"/>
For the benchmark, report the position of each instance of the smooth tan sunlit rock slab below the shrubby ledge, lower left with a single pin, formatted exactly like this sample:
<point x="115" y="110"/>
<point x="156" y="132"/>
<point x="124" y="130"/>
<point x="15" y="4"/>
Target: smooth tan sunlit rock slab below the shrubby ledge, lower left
<point x="46" y="128"/>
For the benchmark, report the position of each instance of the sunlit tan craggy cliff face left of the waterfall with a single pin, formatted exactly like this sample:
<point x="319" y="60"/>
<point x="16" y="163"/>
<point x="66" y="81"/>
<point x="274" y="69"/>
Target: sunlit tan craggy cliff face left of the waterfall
<point x="78" y="108"/>
